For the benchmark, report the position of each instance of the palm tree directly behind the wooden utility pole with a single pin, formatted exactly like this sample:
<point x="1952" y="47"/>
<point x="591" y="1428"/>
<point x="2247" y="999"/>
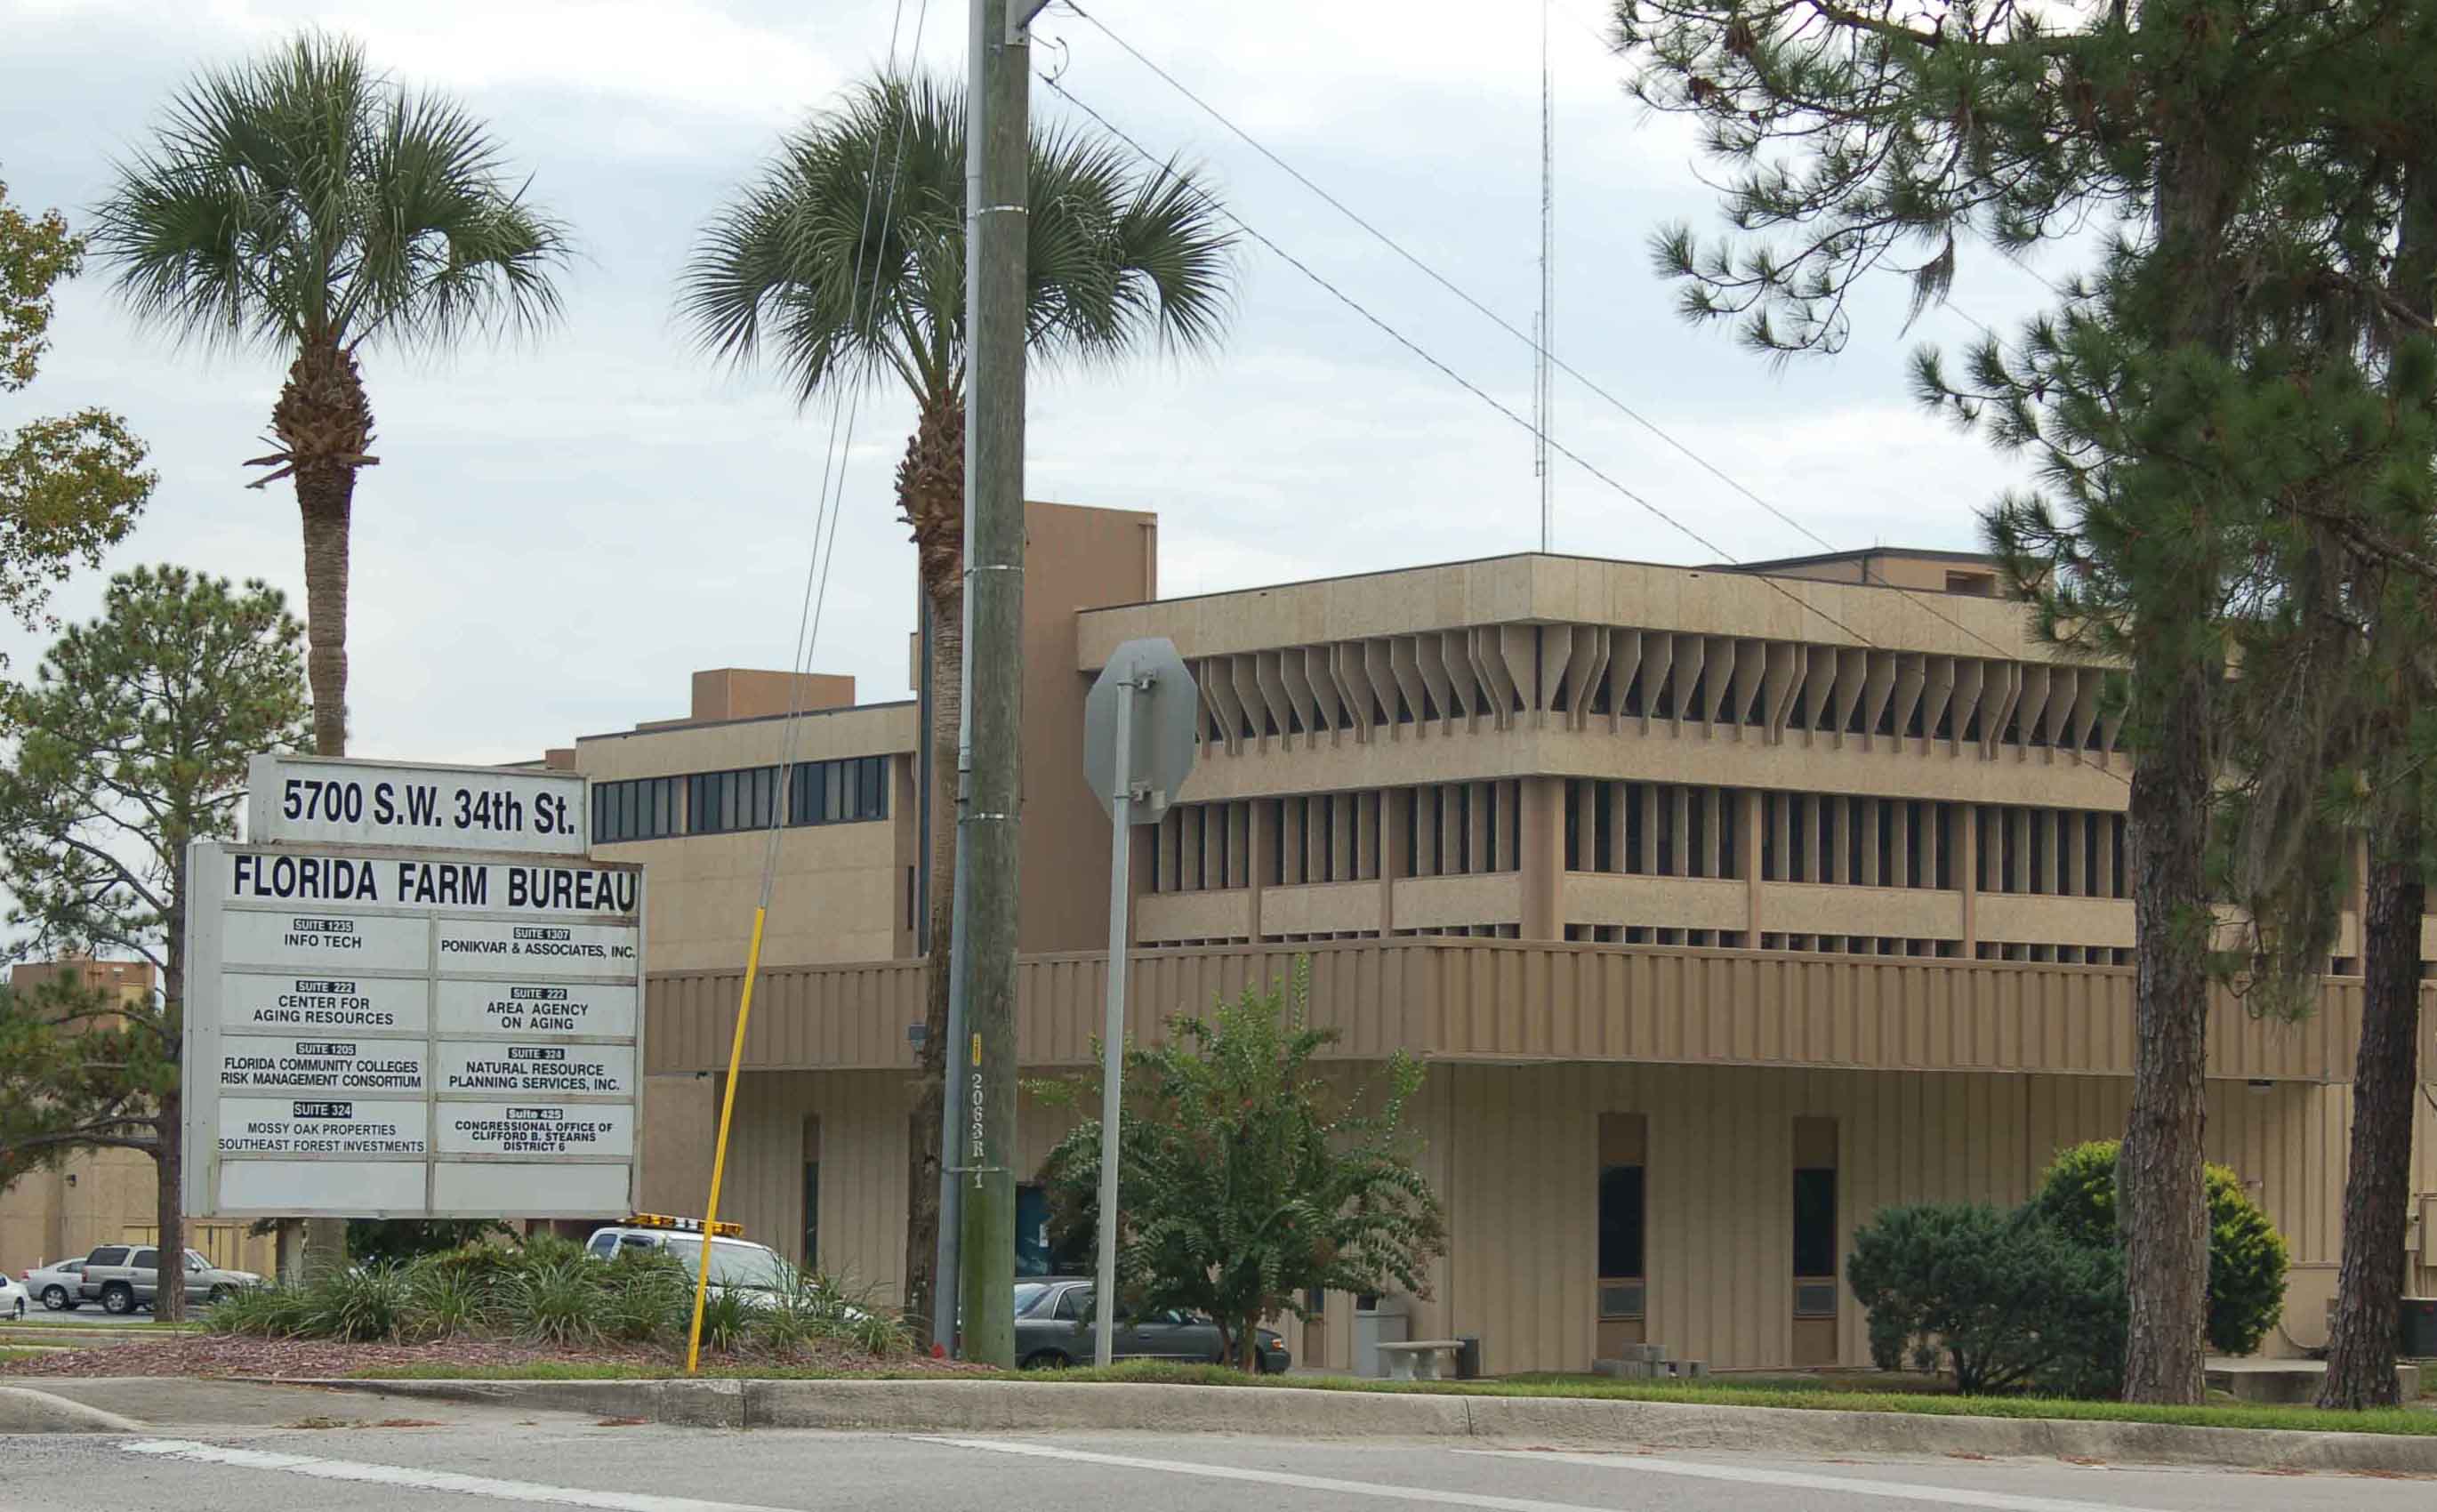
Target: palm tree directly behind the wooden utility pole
<point x="844" y="265"/>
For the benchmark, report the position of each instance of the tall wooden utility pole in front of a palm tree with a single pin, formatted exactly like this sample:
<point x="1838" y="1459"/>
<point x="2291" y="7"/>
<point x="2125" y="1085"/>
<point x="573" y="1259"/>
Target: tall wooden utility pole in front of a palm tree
<point x="983" y="1069"/>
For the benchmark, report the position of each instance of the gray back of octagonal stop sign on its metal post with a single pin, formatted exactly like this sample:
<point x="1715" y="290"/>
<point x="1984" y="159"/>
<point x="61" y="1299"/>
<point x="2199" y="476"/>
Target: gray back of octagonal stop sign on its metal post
<point x="1137" y="752"/>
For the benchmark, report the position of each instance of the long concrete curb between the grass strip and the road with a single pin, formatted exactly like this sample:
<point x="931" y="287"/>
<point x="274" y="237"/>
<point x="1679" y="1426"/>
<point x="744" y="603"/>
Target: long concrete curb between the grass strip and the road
<point x="1298" y="1413"/>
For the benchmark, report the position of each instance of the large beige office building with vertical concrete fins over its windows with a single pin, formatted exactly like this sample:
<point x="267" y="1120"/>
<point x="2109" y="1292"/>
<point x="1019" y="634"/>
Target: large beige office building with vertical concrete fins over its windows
<point x="1724" y="904"/>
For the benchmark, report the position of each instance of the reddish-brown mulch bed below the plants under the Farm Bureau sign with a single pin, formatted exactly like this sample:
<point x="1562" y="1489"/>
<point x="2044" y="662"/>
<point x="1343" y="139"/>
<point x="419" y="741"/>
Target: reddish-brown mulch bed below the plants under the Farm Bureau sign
<point x="223" y="1357"/>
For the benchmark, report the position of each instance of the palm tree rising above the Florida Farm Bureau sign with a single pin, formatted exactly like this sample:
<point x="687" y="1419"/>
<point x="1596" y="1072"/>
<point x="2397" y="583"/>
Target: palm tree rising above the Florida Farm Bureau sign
<point x="311" y="206"/>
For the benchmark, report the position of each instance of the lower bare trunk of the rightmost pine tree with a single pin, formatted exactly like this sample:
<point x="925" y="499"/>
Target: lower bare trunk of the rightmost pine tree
<point x="2377" y="1189"/>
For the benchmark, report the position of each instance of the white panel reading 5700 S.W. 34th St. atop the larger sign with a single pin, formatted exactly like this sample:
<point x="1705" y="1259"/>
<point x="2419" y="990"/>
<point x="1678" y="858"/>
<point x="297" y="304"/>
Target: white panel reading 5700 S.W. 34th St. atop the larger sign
<point x="377" y="804"/>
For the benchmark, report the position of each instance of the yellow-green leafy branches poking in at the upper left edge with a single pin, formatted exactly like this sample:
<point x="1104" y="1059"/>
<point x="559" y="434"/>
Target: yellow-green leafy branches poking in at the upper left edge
<point x="74" y="484"/>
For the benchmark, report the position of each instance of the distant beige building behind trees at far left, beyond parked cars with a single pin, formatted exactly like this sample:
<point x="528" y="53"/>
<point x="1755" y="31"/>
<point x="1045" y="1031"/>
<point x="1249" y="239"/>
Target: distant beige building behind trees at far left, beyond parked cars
<point x="111" y="1194"/>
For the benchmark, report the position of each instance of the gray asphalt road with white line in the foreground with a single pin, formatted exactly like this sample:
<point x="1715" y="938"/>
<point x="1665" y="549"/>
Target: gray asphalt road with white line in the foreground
<point x="491" y="1462"/>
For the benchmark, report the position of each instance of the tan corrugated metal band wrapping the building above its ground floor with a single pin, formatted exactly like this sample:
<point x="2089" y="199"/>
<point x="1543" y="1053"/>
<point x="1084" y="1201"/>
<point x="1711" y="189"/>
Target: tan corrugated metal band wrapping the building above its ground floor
<point x="1519" y="1001"/>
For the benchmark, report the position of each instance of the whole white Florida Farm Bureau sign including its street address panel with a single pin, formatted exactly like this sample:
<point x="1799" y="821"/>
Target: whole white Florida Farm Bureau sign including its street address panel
<point x="411" y="994"/>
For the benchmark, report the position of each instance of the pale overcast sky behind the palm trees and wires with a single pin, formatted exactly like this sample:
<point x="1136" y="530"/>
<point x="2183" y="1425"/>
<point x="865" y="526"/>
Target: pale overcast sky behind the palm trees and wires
<point x="562" y="533"/>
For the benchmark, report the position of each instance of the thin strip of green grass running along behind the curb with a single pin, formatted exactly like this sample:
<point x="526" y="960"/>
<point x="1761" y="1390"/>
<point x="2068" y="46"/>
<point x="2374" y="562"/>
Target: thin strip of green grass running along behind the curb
<point x="1848" y="1394"/>
